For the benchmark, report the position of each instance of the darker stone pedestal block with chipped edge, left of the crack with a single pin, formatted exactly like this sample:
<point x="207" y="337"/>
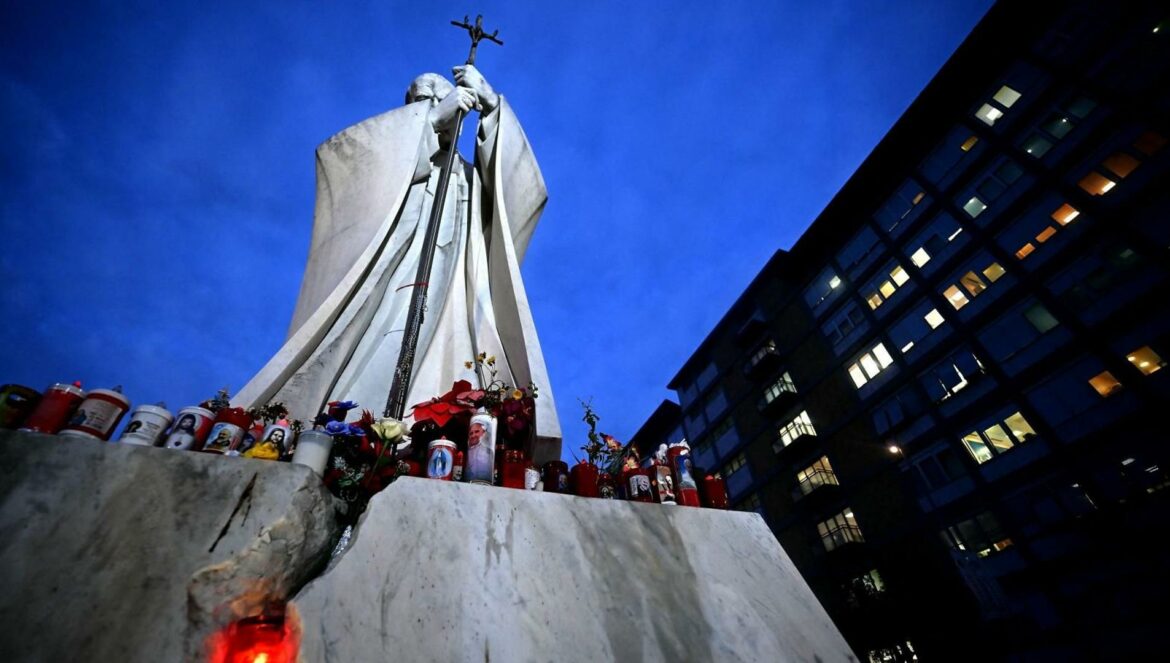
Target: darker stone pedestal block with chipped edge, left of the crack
<point x="116" y="552"/>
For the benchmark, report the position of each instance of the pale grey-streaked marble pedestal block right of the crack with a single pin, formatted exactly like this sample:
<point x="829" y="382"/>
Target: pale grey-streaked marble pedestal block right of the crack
<point x="442" y="571"/>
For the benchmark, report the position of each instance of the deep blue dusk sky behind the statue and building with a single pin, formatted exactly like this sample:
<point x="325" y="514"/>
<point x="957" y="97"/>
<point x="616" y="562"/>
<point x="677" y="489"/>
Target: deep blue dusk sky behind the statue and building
<point x="157" y="188"/>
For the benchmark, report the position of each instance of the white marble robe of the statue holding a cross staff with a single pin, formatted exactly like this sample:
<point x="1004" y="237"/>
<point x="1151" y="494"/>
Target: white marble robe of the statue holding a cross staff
<point x="376" y="183"/>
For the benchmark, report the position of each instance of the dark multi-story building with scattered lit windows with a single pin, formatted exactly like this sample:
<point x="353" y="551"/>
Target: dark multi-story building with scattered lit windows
<point x="948" y="398"/>
